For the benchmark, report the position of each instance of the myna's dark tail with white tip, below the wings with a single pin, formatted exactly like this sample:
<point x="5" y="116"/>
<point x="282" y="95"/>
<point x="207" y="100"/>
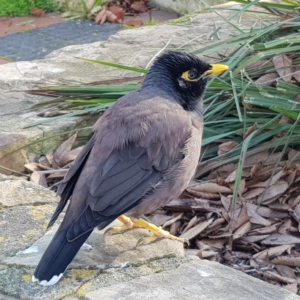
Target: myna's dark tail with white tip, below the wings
<point x="57" y="257"/>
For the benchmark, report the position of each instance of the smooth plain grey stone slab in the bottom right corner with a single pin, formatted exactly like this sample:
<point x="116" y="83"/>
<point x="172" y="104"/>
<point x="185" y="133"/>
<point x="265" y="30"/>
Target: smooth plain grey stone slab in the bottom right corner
<point x="198" y="279"/>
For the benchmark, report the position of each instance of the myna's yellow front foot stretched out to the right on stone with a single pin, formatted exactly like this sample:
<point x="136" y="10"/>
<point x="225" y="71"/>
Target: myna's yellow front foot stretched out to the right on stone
<point x="158" y="233"/>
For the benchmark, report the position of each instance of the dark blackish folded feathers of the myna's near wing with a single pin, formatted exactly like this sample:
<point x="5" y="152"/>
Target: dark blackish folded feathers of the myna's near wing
<point x="125" y="178"/>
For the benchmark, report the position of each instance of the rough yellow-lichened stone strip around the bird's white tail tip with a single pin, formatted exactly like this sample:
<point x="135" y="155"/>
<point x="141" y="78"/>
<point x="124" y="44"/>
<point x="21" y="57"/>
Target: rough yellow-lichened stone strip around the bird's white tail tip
<point x="16" y="281"/>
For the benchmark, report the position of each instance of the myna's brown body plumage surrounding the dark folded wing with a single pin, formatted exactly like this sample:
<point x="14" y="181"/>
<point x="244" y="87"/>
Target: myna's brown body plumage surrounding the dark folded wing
<point x="144" y="126"/>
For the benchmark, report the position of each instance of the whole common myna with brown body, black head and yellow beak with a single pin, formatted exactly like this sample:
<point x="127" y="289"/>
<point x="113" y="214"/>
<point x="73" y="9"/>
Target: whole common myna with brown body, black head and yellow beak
<point x="144" y="152"/>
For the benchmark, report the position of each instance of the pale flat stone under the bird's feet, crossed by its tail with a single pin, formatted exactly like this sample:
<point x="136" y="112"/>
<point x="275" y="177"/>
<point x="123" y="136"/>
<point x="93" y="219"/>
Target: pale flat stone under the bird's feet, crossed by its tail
<point x="103" y="252"/>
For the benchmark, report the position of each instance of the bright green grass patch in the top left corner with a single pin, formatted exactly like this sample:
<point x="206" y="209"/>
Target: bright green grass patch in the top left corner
<point x="22" y="7"/>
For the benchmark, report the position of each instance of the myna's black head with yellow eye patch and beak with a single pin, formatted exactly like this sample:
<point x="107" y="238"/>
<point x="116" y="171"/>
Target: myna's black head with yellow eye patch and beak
<point x="184" y="76"/>
